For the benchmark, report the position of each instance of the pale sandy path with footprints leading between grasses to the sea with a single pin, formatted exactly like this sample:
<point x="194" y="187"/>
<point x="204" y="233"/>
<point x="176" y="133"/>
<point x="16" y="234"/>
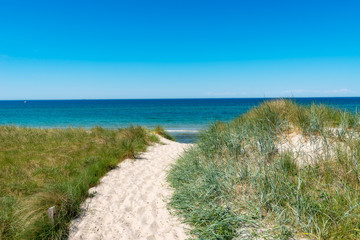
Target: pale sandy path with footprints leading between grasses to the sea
<point x="130" y="201"/>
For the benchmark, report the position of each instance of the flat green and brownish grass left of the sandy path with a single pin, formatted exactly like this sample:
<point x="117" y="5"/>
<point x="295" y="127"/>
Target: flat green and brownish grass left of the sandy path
<point x="41" y="168"/>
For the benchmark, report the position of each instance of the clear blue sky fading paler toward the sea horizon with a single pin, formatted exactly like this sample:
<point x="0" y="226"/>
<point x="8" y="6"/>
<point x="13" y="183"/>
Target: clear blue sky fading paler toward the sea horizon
<point x="179" y="49"/>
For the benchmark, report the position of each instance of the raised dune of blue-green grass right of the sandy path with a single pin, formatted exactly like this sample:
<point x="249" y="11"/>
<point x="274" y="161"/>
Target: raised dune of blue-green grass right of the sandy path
<point x="237" y="183"/>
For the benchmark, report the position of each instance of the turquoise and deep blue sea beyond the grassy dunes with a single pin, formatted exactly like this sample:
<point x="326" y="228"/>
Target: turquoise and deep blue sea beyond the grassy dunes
<point x="182" y="118"/>
